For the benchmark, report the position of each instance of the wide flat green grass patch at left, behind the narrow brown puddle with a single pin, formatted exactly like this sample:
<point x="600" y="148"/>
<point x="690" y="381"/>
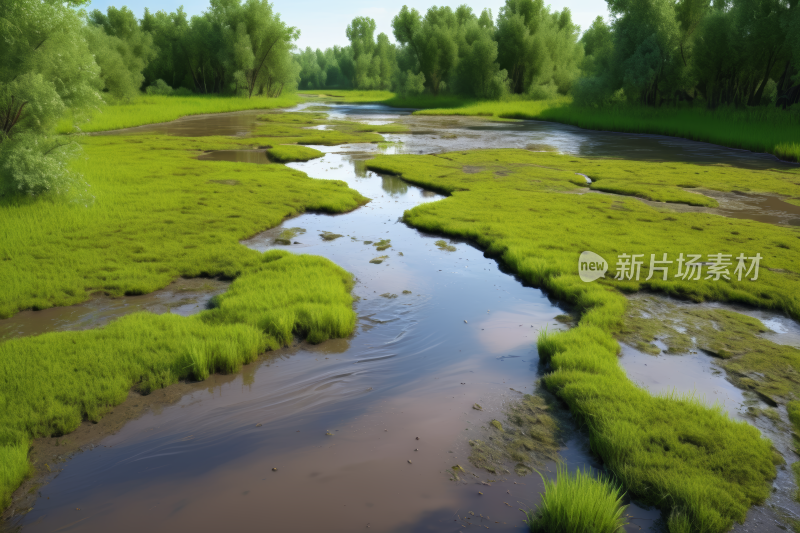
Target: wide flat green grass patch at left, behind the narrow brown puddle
<point x="153" y="212"/>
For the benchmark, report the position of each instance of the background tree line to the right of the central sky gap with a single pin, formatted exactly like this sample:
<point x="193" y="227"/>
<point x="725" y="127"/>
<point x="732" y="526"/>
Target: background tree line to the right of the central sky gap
<point x="652" y="52"/>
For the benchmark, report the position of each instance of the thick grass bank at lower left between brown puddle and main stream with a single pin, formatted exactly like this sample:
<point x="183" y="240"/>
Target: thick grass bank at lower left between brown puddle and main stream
<point x="50" y="383"/>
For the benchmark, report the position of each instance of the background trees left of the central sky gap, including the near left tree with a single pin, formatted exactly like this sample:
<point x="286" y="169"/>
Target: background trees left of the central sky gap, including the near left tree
<point x="58" y="61"/>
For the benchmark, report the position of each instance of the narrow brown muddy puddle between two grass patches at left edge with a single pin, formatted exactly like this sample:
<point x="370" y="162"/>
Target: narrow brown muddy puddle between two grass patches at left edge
<point x="183" y="297"/>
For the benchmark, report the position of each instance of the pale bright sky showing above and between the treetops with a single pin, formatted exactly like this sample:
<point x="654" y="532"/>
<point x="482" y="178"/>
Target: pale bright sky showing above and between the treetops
<point x="322" y="23"/>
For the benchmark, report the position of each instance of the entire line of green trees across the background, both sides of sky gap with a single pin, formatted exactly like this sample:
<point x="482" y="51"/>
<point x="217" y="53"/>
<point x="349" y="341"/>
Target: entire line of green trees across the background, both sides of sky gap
<point x="57" y="60"/>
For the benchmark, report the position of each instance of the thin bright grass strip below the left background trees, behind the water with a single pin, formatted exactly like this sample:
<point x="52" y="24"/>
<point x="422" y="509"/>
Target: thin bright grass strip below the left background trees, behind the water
<point x="151" y="109"/>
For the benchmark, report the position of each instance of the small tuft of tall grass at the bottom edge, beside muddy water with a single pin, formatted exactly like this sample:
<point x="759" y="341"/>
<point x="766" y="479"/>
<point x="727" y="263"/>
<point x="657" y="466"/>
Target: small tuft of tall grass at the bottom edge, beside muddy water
<point x="578" y="503"/>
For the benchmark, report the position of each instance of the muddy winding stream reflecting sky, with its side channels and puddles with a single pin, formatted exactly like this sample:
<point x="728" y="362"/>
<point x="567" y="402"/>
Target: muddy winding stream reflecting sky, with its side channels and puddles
<point x="362" y="431"/>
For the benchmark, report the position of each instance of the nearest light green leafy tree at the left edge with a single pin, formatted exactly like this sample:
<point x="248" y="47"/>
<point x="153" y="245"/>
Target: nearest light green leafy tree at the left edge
<point x="45" y="68"/>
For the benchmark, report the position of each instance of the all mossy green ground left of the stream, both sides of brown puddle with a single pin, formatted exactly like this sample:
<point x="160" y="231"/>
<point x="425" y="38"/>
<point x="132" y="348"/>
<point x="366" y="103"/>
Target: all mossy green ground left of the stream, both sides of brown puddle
<point x="152" y="212"/>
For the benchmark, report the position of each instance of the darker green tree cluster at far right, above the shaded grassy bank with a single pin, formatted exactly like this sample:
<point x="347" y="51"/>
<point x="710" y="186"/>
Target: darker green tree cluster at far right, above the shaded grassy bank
<point x="726" y="52"/>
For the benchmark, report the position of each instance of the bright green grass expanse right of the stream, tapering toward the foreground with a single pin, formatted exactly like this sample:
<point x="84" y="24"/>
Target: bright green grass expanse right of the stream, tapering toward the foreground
<point x="702" y="468"/>
